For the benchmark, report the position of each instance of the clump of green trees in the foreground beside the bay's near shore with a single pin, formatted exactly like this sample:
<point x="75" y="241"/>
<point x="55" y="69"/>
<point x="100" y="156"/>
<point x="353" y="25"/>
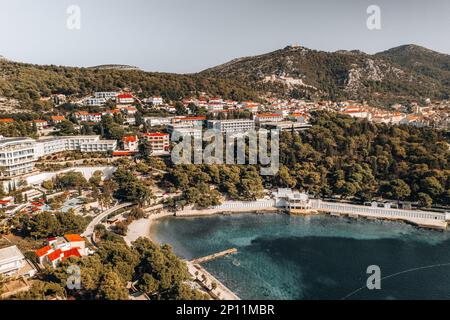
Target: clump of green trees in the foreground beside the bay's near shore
<point x="104" y="275"/>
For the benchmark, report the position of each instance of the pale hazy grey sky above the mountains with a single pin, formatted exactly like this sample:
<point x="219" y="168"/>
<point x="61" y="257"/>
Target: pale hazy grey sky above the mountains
<point x="191" y="35"/>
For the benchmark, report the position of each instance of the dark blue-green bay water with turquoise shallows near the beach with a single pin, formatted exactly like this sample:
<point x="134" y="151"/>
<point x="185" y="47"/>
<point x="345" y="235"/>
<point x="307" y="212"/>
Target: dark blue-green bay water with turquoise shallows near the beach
<point x="320" y="257"/>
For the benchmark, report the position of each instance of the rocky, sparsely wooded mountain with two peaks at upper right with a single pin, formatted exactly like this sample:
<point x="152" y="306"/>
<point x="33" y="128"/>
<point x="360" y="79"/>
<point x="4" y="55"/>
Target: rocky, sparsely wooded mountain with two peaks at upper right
<point x="406" y="72"/>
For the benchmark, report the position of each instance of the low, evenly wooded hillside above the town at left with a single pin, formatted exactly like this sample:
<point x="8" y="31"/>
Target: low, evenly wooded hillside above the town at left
<point x="28" y="83"/>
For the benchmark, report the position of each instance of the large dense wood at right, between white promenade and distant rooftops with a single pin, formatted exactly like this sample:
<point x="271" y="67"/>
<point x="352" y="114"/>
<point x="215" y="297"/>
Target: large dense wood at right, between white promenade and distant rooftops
<point x="356" y="158"/>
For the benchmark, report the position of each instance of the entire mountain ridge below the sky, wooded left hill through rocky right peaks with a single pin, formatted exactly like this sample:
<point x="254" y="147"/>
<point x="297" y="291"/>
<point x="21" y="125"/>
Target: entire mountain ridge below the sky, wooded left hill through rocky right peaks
<point x="399" y="74"/>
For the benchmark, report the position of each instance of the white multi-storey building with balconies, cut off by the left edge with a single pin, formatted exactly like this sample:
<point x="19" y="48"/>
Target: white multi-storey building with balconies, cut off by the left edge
<point x="16" y="156"/>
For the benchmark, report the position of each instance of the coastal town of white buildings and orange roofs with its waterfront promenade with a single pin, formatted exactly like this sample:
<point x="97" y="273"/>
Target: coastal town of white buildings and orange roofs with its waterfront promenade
<point x="72" y="161"/>
